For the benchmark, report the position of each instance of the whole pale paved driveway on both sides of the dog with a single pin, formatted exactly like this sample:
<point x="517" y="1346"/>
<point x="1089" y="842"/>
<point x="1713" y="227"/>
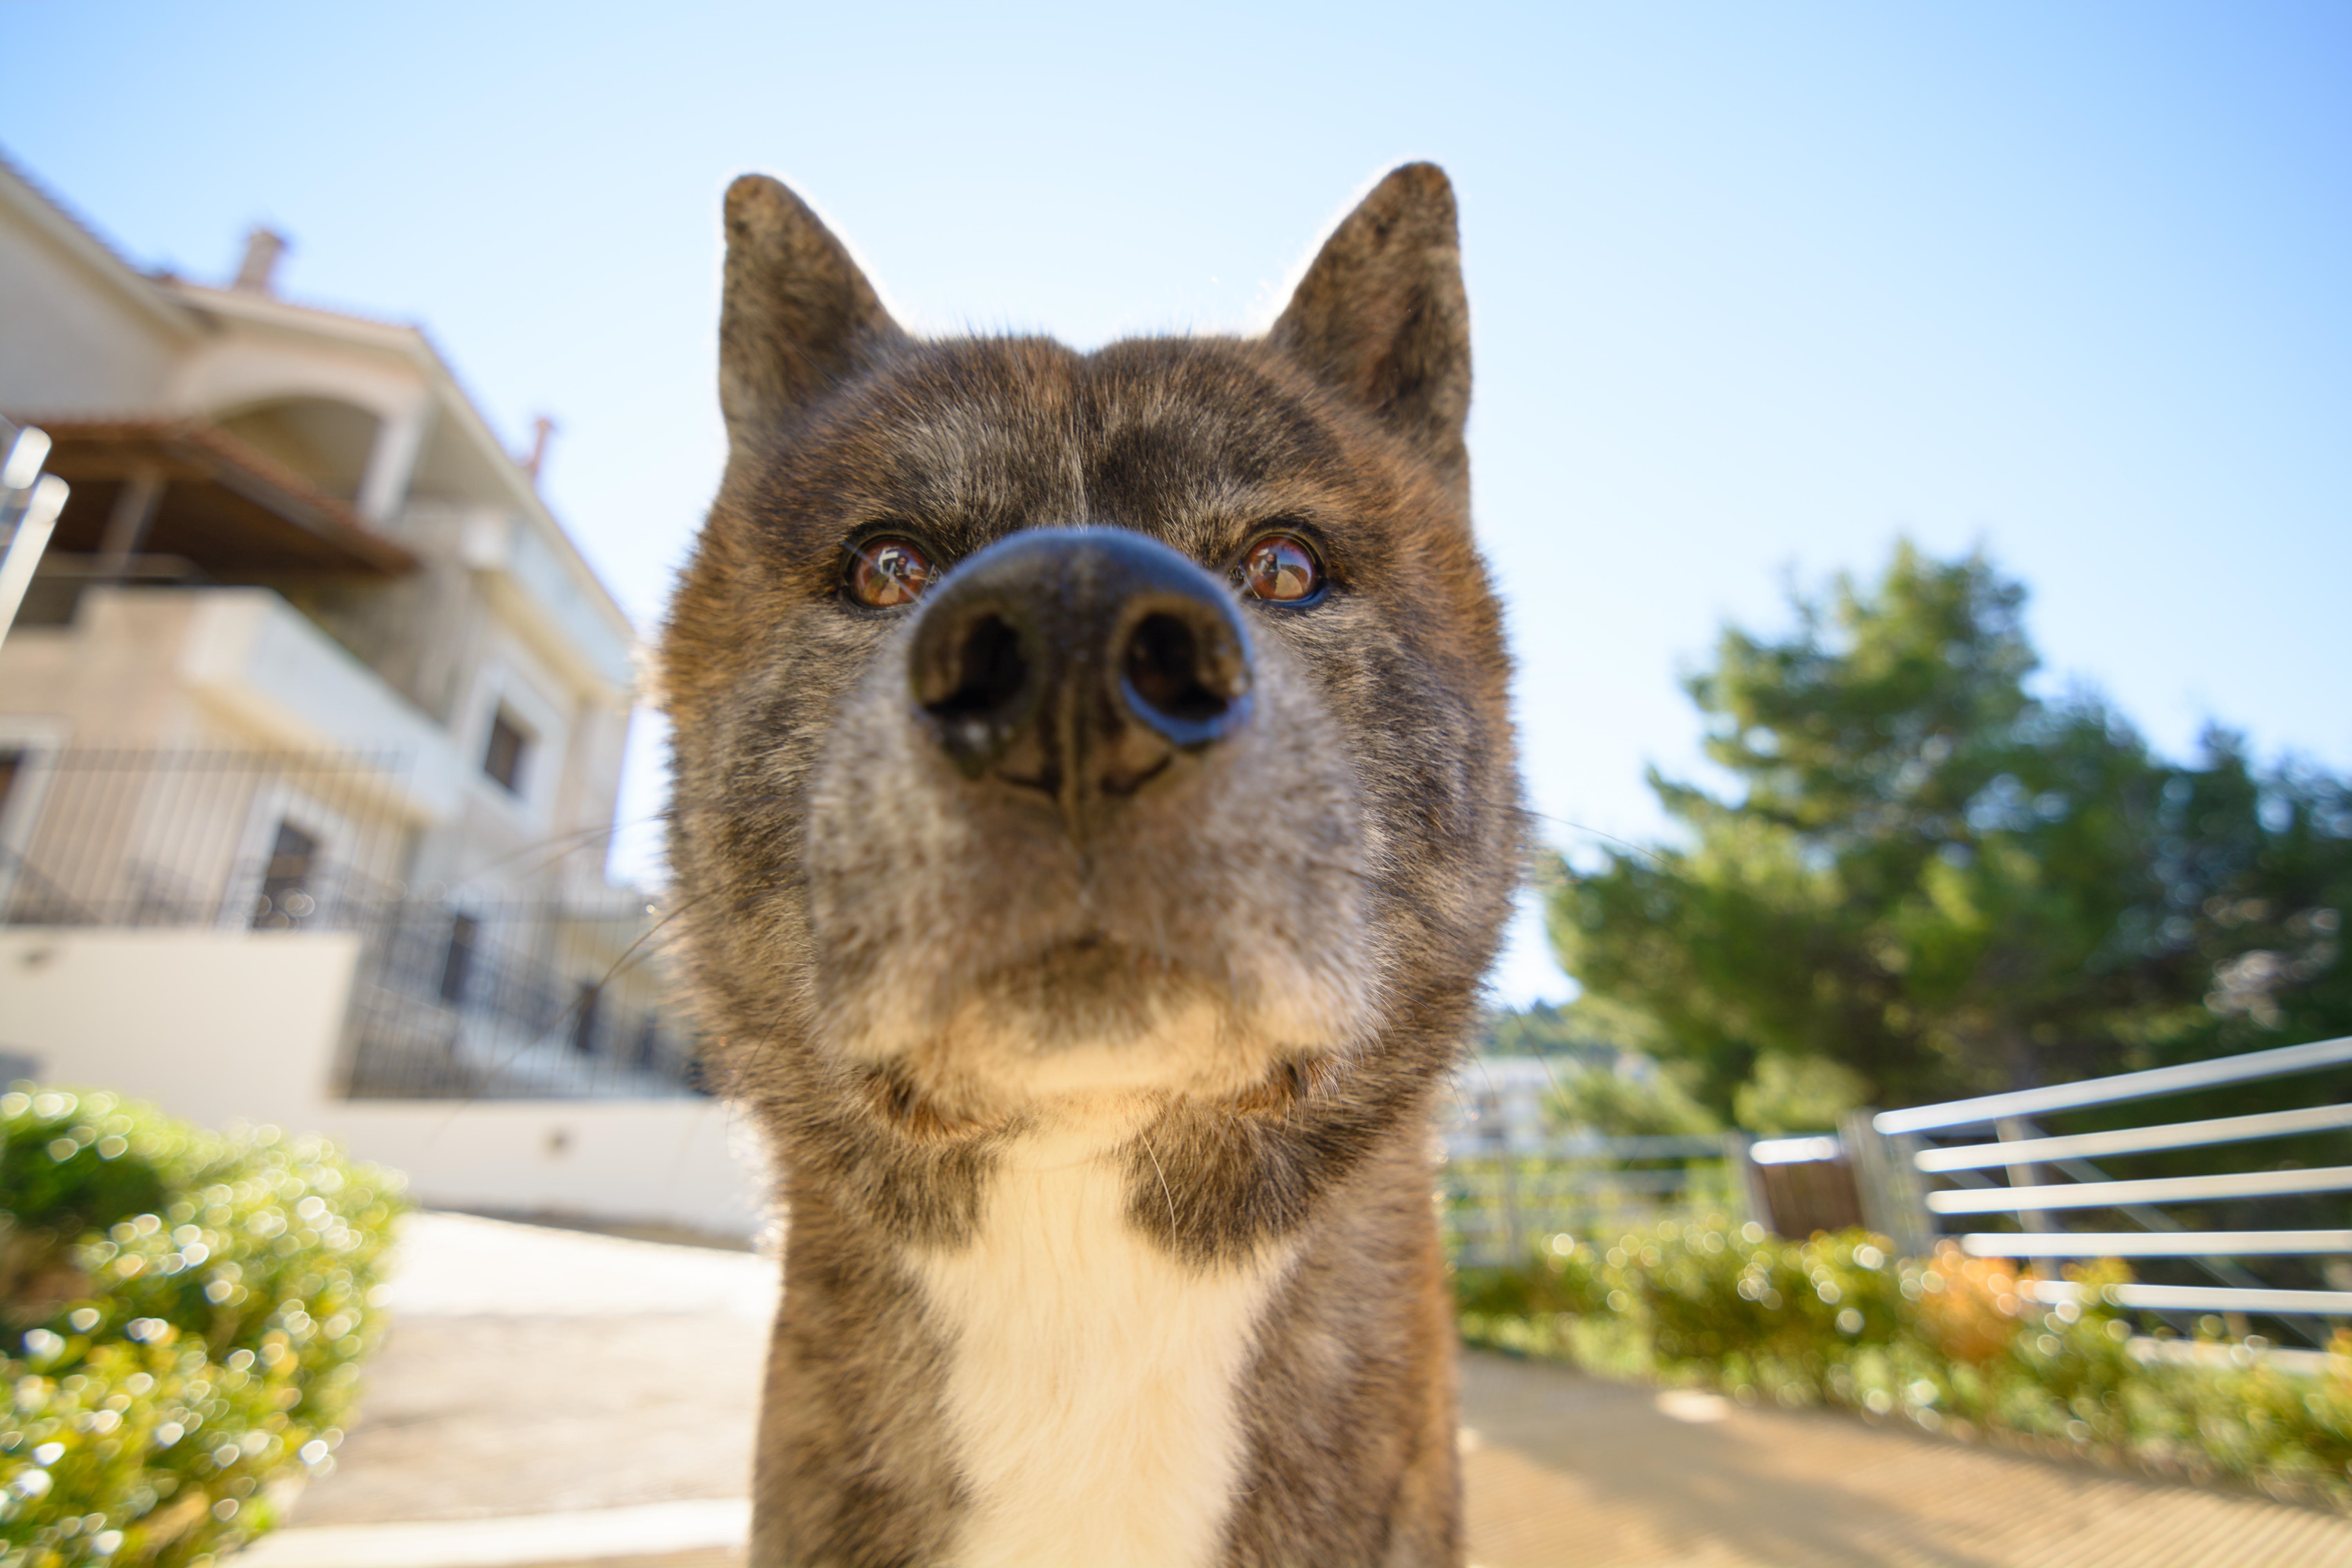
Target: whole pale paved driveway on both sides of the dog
<point x="552" y="1398"/>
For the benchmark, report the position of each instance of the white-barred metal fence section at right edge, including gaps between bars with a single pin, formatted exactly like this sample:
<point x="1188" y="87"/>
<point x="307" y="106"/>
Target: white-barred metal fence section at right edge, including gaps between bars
<point x="2191" y="1205"/>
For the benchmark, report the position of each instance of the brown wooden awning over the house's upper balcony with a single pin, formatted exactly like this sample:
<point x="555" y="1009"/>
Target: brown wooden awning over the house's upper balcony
<point x="222" y="507"/>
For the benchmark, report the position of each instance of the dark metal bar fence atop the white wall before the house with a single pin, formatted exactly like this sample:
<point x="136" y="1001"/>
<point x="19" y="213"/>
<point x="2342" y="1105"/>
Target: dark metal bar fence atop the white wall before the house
<point x="455" y="998"/>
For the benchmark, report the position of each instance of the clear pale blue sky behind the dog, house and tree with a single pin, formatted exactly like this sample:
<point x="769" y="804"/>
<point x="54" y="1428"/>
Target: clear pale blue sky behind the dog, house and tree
<point x="1756" y="288"/>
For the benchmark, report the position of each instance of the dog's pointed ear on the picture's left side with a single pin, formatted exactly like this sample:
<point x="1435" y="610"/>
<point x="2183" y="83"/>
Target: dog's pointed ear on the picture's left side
<point x="799" y="311"/>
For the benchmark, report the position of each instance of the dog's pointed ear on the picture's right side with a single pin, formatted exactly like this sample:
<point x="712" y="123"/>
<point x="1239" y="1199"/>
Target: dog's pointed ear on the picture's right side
<point x="1382" y="314"/>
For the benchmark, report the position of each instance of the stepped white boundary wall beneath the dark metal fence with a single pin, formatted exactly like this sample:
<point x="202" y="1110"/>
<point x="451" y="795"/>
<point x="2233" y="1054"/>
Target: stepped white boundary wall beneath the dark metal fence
<point x="246" y="1026"/>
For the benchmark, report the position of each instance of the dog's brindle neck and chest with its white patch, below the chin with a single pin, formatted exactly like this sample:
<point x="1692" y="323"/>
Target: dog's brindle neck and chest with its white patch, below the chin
<point x="1168" y="1334"/>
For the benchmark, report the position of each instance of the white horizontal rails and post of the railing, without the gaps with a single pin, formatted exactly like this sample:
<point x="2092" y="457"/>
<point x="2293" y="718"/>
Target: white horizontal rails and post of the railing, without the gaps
<point x="1913" y="1184"/>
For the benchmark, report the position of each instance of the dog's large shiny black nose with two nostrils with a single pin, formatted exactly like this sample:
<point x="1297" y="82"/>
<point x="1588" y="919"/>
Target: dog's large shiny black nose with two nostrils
<point x="1078" y="664"/>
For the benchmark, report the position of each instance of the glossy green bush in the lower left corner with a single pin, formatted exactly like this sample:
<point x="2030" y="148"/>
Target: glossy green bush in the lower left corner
<point x="189" y="1315"/>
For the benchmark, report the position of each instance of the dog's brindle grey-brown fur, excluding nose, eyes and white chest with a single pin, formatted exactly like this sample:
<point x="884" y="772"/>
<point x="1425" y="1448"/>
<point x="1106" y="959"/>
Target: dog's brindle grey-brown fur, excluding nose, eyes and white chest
<point x="883" y="949"/>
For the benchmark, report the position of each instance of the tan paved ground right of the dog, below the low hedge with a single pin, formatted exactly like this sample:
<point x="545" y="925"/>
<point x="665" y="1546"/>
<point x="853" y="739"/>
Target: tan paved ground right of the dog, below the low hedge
<point x="1601" y="1475"/>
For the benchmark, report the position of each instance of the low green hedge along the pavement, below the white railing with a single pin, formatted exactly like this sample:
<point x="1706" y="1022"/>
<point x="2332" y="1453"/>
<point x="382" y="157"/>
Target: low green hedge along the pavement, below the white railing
<point x="1946" y="1343"/>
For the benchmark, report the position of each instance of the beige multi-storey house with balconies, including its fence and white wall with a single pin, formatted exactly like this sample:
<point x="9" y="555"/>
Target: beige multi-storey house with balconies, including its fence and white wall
<point x="309" y="749"/>
